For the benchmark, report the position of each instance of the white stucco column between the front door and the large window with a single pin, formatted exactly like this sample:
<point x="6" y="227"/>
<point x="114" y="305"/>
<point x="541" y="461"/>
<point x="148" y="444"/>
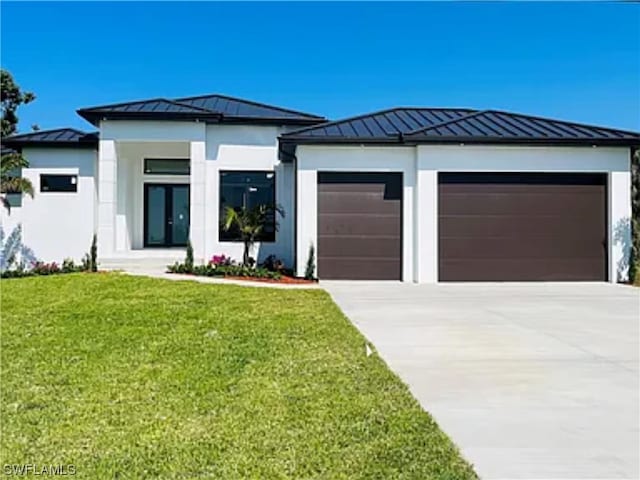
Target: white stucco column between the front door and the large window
<point x="197" y="152"/>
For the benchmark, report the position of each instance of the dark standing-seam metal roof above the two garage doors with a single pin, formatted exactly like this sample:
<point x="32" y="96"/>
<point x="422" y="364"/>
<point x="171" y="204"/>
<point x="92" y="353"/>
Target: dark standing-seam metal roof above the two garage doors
<point x="428" y="125"/>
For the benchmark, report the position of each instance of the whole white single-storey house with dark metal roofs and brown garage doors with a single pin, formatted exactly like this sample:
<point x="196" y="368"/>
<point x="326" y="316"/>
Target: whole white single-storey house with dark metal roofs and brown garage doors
<point x="413" y="194"/>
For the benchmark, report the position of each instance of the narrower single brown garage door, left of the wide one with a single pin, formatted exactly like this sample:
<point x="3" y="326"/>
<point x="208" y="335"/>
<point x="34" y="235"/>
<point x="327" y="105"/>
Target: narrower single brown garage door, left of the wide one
<point x="359" y="226"/>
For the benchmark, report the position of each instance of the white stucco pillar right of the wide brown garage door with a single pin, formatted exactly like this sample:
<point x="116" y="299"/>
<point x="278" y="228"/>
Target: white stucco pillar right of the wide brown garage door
<point x="619" y="225"/>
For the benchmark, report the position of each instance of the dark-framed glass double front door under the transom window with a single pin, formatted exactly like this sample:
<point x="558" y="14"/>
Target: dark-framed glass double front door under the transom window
<point x="166" y="215"/>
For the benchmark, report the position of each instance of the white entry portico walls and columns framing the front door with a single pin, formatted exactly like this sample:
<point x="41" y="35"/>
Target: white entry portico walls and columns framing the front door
<point x="123" y="146"/>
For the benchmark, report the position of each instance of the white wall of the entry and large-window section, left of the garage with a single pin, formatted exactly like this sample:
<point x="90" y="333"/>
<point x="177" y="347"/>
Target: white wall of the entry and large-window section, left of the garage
<point x="211" y="148"/>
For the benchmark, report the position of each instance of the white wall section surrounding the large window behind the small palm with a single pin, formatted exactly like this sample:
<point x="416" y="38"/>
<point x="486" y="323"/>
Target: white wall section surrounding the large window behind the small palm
<point x="244" y="147"/>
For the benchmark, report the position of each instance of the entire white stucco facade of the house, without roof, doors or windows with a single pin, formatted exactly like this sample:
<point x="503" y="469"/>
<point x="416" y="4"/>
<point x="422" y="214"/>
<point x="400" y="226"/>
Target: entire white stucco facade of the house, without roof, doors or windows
<point x="111" y="179"/>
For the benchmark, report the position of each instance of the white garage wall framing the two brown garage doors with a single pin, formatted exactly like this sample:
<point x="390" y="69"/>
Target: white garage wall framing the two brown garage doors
<point x="421" y="165"/>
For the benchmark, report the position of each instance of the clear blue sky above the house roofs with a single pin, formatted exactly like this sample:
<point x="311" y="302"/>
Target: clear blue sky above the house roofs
<point x="575" y="61"/>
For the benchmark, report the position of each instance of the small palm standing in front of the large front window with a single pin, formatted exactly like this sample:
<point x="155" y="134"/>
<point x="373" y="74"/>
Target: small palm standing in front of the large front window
<point x="250" y="224"/>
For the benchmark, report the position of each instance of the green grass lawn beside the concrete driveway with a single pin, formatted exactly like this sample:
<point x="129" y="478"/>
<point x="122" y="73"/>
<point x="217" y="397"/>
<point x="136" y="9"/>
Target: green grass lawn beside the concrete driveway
<point x="129" y="377"/>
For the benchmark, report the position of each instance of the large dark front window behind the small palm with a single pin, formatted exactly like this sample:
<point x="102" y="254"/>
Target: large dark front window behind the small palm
<point x="248" y="190"/>
